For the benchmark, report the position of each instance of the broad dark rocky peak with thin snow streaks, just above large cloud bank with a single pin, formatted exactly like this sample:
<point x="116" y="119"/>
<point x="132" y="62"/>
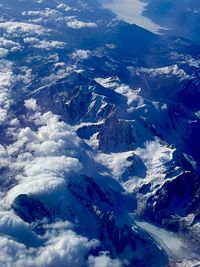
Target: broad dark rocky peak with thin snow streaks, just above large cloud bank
<point x="69" y="97"/>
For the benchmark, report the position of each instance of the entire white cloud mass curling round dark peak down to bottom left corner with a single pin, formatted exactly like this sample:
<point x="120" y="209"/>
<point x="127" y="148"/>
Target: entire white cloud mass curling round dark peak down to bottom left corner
<point x="41" y="161"/>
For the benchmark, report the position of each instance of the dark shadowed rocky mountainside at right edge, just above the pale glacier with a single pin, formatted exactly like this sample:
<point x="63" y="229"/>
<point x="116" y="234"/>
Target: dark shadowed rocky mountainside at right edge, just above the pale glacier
<point x="175" y="199"/>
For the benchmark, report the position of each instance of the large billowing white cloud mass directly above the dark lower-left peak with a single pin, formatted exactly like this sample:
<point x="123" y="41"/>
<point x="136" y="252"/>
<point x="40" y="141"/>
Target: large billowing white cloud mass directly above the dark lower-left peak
<point x="43" y="159"/>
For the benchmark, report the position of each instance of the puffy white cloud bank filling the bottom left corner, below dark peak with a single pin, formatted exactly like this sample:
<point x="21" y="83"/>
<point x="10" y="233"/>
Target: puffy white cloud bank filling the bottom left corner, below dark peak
<point x="67" y="249"/>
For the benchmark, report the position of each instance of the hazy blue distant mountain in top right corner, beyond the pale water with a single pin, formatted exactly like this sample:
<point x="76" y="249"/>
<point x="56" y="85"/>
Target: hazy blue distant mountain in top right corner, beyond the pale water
<point x="181" y="17"/>
